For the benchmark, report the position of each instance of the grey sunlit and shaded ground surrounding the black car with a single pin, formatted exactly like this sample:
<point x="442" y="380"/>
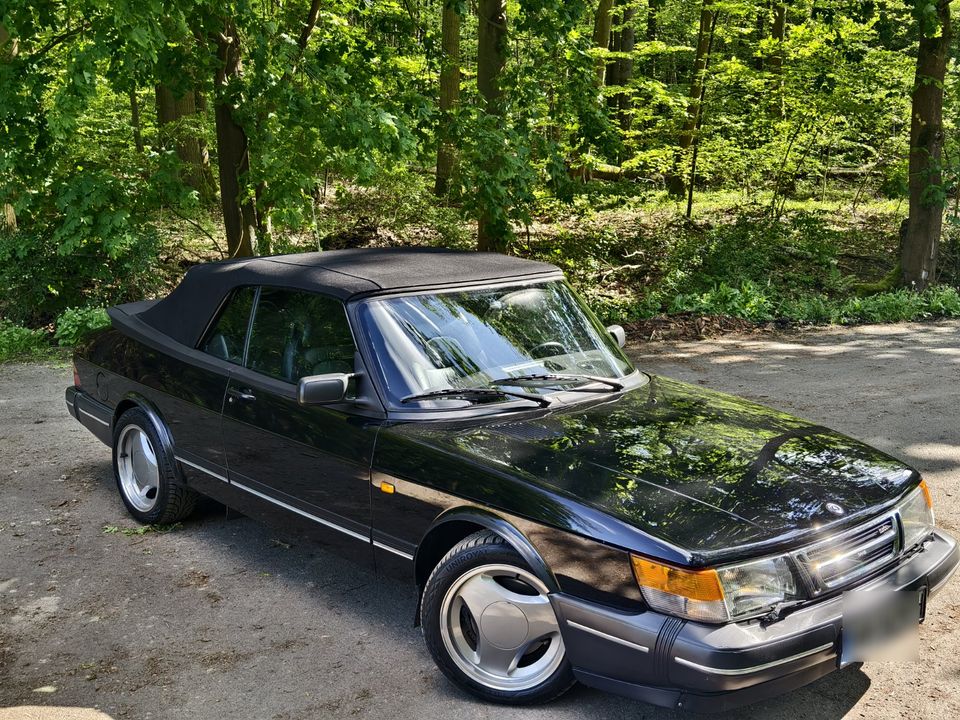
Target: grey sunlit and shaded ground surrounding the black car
<point x="225" y="618"/>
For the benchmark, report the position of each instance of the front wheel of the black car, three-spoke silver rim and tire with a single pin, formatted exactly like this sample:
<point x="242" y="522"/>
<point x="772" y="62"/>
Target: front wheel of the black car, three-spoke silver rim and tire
<point x="489" y="625"/>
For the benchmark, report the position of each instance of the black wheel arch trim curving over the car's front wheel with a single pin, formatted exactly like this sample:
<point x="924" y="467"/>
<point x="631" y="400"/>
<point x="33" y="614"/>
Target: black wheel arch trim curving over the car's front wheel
<point x="455" y="524"/>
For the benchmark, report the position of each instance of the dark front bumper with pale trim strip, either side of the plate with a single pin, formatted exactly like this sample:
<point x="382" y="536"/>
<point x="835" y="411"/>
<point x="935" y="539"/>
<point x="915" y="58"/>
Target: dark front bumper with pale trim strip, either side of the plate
<point x="677" y="663"/>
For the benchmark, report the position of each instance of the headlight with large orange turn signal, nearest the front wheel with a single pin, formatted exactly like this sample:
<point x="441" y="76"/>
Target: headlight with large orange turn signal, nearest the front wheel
<point x="725" y="594"/>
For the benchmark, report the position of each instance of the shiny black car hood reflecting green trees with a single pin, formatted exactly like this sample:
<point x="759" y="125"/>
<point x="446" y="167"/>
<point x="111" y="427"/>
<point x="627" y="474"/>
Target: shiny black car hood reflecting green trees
<point x="701" y="470"/>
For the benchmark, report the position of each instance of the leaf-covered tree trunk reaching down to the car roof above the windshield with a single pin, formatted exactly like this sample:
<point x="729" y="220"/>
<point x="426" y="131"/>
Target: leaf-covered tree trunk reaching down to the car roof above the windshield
<point x="492" y="232"/>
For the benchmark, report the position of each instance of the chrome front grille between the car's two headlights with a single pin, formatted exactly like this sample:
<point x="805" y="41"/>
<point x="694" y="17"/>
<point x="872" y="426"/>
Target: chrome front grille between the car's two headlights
<point x="845" y="558"/>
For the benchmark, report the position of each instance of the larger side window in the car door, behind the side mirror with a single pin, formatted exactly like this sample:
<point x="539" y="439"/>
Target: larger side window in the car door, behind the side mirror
<point x="296" y="334"/>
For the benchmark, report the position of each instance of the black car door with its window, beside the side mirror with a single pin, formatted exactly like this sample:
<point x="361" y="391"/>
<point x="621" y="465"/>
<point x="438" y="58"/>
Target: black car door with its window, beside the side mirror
<point x="313" y="461"/>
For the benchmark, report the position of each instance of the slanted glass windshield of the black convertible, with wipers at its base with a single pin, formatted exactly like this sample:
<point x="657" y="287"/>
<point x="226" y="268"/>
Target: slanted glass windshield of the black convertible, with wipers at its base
<point x="473" y="338"/>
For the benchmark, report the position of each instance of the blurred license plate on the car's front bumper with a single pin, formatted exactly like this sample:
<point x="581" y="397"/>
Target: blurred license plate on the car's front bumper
<point x="881" y="625"/>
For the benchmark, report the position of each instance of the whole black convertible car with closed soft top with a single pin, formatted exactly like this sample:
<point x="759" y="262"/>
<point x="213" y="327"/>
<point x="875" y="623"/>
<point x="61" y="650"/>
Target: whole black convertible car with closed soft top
<point x="463" y="418"/>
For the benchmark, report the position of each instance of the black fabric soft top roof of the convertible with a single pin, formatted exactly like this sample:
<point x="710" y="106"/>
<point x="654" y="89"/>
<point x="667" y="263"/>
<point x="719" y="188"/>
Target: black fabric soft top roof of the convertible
<point x="184" y="313"/>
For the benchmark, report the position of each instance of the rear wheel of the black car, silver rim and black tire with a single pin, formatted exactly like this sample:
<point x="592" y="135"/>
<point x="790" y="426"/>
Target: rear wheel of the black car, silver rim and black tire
<point x="148" y="480"/>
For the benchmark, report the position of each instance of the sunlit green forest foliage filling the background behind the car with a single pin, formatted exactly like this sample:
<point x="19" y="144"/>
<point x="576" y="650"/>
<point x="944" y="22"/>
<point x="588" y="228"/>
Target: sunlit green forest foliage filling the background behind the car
<point x="796" y="136"/>
